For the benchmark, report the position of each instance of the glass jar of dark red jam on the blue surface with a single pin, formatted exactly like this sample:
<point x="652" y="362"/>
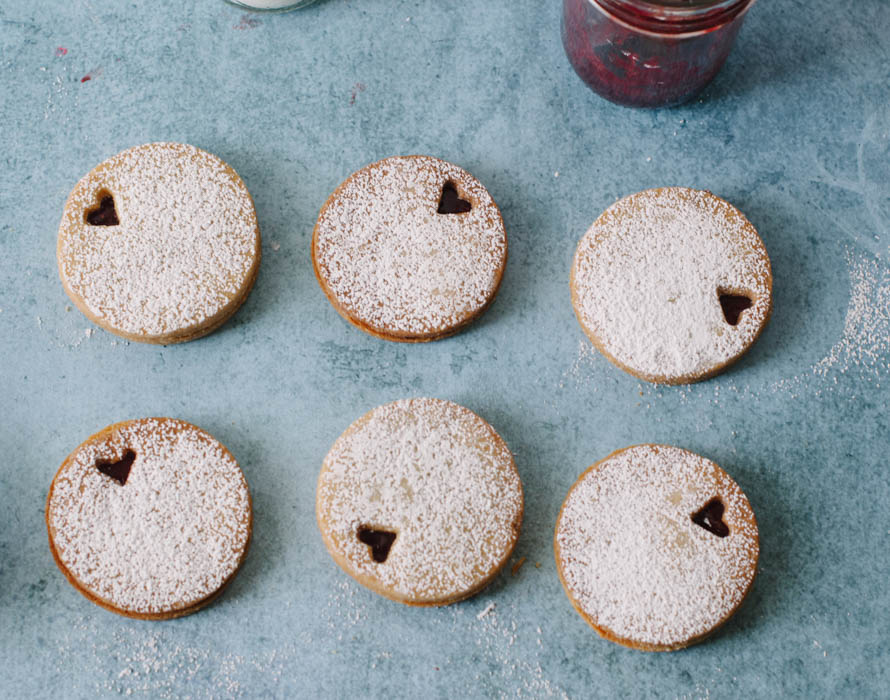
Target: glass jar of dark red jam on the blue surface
<point x="650" y="53"/>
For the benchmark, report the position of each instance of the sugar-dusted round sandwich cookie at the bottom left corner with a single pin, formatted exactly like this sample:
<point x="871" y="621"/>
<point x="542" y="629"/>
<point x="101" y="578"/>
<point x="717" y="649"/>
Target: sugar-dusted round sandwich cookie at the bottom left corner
<point x="149" y="518"/>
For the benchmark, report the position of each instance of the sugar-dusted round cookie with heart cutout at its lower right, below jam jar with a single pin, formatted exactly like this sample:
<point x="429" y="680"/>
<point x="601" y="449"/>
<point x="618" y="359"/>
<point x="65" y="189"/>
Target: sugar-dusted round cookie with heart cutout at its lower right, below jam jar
<point x="672" y="284"/>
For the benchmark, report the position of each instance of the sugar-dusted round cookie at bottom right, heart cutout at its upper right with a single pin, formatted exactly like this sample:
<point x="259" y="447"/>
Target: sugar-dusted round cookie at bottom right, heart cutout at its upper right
<point x="656" y="547"/>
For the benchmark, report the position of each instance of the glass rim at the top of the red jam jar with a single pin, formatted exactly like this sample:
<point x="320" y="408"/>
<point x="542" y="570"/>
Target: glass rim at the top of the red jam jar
<point x="677" y="18"/>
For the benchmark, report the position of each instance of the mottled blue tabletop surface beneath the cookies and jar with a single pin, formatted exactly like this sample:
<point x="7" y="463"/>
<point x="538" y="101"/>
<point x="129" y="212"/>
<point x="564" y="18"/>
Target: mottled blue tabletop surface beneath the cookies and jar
<point x="795" y="132"/>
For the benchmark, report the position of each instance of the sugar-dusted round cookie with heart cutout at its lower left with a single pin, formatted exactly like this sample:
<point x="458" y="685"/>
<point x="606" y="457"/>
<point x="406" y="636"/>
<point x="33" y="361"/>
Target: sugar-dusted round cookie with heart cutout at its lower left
<point x="420" y="501"/>
